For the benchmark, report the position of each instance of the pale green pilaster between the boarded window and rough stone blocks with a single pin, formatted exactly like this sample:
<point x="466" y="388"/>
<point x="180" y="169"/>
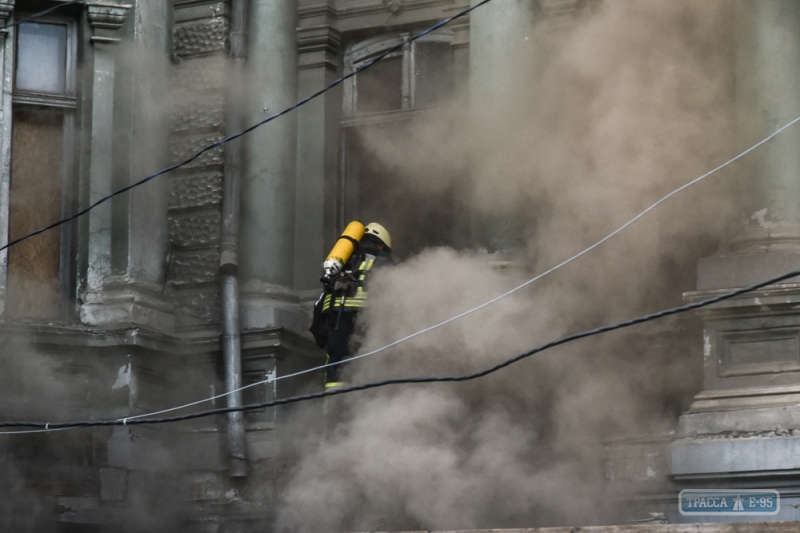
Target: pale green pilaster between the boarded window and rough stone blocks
<point x="127" y="236"/>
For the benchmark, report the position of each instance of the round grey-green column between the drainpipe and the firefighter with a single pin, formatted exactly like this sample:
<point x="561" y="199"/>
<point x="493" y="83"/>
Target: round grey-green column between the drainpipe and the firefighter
<point x="268" y="189"/>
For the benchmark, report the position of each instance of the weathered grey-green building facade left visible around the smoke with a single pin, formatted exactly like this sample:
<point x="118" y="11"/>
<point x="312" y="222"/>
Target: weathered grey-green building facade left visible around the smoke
<point x="118" y="313"/>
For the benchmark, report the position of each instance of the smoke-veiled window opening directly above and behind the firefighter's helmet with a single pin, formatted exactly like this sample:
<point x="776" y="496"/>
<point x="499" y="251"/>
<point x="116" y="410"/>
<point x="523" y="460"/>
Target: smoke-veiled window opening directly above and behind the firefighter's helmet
<point x="381" y="106"/>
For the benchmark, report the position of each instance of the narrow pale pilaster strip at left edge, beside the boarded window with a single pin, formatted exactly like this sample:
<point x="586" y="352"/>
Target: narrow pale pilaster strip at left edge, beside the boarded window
<point x="7" y="72"/>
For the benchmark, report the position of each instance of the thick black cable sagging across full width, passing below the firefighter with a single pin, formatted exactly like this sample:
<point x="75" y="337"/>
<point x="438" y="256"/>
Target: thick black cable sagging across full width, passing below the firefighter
<point x="401" y="381"/>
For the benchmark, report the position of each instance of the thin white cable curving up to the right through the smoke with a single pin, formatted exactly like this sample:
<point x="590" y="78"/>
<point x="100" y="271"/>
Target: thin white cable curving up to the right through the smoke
<point x="485" y="304"/>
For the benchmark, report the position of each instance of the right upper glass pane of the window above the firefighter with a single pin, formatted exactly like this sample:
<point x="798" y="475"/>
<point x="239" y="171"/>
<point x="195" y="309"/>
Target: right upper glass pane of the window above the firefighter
<point x="433" y="73"/>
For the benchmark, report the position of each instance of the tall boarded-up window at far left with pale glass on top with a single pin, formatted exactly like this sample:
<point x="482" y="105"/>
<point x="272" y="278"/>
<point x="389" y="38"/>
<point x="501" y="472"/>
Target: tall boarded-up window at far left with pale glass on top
<point x="42" y="106"/>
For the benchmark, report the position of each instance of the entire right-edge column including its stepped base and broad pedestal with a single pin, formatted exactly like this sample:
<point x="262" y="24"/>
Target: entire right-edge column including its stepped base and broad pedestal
<point x="751" y="344"/>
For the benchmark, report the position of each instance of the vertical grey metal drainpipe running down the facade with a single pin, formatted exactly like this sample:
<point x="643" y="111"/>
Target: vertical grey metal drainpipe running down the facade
<point x="229" y="261"/>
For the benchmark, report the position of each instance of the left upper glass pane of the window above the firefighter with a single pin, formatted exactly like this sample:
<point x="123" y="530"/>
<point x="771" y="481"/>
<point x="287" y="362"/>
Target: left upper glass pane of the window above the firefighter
<point x="379" y="88"/>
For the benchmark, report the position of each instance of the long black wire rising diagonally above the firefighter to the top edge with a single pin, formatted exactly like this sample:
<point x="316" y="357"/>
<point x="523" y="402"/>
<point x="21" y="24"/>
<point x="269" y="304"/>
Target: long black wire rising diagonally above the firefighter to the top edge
<point x="247" y="130"/>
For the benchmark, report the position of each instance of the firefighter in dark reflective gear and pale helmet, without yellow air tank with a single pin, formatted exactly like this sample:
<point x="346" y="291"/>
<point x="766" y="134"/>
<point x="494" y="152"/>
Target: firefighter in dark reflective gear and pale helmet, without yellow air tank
<point x="346" y="294"/>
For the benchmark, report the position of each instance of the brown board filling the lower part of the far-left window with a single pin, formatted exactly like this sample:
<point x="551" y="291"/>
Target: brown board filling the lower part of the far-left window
<point x="37" y="147"/>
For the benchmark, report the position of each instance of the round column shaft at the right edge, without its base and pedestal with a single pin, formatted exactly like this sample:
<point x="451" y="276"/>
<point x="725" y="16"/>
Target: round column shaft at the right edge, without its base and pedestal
<point x="768" y="96"/>
